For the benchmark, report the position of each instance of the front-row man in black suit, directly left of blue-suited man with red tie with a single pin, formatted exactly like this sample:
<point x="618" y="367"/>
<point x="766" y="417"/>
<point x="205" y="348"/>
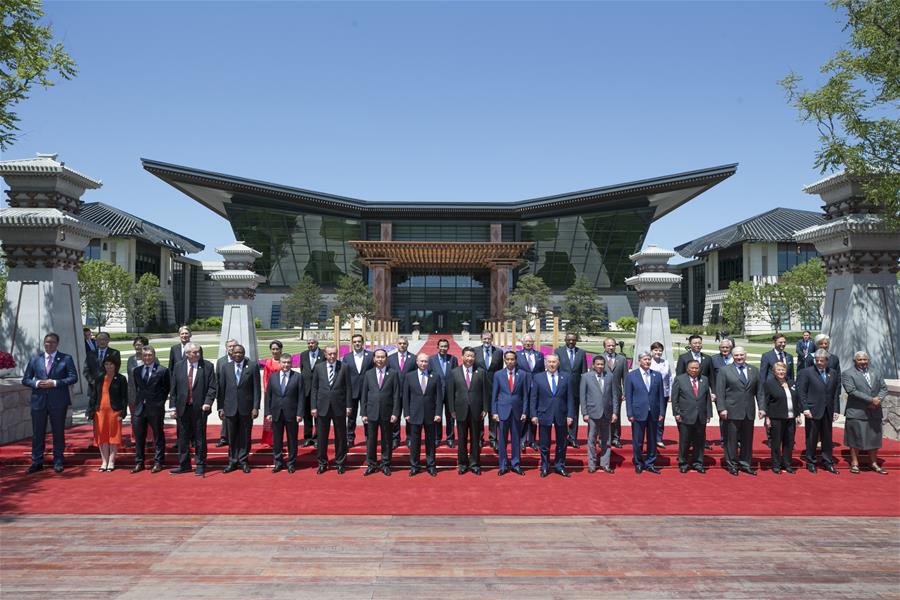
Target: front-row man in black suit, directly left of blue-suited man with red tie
<point x="468" y="405"/>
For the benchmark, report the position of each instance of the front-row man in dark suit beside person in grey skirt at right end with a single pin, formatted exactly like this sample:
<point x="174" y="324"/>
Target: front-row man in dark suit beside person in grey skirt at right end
<point x="819" y="392"/>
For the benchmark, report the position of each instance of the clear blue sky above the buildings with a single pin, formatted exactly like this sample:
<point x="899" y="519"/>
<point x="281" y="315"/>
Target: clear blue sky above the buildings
<point x="448" y="102"/>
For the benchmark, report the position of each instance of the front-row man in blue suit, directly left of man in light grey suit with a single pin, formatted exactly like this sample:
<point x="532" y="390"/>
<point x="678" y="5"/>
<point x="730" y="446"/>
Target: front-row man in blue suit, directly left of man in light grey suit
<point x="552" y="404"/>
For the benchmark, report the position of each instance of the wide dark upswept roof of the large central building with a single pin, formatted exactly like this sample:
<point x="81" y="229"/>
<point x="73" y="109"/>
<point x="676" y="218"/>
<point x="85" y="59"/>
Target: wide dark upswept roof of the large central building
<point x="217" y="191"/>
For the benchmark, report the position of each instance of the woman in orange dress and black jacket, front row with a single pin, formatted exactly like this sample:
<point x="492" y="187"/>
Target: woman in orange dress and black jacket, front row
<point x="107" y="407"/>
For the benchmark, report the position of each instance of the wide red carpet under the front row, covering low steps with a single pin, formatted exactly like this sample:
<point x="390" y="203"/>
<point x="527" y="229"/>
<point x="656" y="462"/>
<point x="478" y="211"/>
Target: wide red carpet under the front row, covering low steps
<point x="81" y="489"/>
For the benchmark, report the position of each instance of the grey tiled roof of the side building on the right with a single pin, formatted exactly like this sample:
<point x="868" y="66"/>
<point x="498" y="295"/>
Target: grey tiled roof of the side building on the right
<point x="776" y="225"/>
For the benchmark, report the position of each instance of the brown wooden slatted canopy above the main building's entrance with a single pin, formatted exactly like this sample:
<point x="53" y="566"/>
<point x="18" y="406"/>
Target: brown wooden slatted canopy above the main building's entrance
<point x="447" y="254"/>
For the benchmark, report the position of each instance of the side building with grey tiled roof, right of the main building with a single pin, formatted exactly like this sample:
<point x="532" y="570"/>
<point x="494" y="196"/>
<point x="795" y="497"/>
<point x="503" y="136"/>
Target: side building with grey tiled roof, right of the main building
<point x="758" y="250"/>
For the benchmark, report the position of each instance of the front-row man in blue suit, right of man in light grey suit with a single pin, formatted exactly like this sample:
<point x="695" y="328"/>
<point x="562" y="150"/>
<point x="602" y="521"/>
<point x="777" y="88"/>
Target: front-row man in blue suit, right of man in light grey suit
<point x="644" y="405"/>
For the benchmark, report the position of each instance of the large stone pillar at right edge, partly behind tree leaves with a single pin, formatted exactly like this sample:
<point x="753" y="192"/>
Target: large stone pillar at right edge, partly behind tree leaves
<point x="862" y="298"/>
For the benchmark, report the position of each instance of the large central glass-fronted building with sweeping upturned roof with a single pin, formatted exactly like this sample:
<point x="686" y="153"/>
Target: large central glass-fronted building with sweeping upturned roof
<point x="440" y="264"/>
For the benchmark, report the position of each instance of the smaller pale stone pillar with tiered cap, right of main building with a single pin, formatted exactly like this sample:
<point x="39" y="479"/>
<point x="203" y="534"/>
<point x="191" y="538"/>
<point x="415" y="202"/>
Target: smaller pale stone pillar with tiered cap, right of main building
<point x="653" y="283"/>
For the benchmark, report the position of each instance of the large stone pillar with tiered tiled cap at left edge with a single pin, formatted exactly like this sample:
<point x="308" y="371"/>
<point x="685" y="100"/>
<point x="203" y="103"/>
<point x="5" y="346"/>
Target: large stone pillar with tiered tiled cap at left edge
<point x="44" y="241"/>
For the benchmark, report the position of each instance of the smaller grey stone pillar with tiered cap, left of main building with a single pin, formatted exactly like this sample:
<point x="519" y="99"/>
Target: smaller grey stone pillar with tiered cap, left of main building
<point x="239" y="283"/>
